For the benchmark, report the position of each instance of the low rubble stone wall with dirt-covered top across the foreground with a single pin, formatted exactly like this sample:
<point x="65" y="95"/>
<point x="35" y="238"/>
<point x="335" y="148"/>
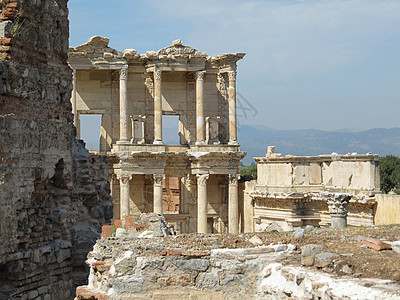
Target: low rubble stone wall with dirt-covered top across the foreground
<point x="328" y="265"/>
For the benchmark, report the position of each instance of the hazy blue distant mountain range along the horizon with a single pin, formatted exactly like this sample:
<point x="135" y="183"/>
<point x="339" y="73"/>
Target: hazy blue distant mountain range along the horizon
<point x="255" y="139"/>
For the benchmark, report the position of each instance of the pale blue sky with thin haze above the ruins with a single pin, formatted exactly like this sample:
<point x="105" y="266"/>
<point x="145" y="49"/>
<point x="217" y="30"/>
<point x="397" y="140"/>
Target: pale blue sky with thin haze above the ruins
<point x="310" y="64"/>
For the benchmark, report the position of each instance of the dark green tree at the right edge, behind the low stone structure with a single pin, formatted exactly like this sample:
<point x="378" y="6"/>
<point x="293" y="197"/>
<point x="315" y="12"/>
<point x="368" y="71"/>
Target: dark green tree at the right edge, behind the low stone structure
<point x="389" y="166"/>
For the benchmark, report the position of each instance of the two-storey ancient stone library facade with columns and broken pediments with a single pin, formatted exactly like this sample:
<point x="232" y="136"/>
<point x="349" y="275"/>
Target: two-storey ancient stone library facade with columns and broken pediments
<point x="133" y="92"/>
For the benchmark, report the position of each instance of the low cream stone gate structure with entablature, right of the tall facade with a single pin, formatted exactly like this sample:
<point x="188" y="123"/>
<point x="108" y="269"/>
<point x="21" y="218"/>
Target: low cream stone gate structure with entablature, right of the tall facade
<point x="295" y="191"/>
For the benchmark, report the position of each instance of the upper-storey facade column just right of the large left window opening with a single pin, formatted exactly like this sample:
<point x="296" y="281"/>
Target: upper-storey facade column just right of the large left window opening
<point x="123" y="105"/>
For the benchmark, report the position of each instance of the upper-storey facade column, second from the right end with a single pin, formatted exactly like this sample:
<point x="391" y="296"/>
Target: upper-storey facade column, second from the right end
<point x="200" y="123"/>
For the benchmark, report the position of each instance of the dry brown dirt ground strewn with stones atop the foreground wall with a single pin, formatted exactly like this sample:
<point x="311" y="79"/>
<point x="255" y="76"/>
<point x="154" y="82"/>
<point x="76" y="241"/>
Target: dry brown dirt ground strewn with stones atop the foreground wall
<point x="364" y="262"/>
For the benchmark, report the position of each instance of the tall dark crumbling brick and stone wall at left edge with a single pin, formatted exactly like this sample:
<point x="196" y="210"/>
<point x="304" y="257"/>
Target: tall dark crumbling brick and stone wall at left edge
<point x="45" y="184"/>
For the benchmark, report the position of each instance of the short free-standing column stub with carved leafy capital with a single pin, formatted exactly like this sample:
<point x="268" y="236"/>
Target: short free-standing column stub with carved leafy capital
<point x="338" y="206"/>
